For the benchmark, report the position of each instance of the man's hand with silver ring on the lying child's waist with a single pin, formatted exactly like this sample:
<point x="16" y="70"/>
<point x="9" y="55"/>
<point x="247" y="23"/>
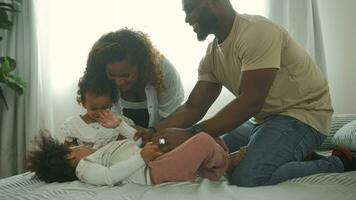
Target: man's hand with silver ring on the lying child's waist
<point x="173" y="137"/>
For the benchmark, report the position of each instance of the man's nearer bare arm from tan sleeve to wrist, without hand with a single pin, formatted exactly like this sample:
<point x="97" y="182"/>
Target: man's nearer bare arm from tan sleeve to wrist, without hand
<point x="254" y="88"/>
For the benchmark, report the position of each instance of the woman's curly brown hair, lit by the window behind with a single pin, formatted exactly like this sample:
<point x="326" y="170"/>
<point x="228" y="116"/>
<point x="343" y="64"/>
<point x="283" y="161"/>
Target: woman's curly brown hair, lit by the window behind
<point x="132" y="45"/>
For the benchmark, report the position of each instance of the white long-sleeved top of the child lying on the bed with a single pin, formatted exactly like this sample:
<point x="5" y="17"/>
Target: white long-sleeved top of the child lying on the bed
<point x="118" y="161"/>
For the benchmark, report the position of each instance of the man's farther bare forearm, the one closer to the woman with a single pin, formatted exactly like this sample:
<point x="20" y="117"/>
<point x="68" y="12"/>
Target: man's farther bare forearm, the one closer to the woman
<point x="200" y="99"/>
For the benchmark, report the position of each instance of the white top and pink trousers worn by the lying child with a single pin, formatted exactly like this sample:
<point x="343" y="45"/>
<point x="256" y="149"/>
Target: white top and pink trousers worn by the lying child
<point x="121" y="161"/>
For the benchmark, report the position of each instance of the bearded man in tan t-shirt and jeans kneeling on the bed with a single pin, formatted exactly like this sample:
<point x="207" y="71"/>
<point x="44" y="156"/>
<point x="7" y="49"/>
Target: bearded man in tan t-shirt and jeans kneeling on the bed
<point x="282" y="109"/>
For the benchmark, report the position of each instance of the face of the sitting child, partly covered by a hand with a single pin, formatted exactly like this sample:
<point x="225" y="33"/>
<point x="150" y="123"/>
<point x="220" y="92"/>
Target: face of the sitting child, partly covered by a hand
<point x="95" y="104"/>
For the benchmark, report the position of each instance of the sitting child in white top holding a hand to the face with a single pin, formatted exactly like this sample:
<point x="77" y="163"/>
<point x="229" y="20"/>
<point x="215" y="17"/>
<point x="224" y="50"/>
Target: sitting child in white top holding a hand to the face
<point x="98" y="126"/>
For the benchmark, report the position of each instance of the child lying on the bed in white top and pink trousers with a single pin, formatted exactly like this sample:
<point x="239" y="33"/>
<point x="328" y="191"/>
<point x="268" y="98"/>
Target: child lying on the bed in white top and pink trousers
<point x="123" y="161"/>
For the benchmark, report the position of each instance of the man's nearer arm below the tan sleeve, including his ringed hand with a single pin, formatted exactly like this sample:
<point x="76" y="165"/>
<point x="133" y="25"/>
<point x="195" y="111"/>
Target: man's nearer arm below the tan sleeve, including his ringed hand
<point x="254" y="88"/>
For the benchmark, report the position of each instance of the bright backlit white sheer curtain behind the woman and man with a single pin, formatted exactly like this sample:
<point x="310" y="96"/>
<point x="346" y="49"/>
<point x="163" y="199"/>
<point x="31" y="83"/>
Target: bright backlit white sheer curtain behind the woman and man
<point x="73" y="27"/>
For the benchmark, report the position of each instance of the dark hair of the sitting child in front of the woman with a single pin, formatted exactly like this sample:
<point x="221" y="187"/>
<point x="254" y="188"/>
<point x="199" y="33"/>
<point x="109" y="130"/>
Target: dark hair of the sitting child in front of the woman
<point x="97" y="85"/>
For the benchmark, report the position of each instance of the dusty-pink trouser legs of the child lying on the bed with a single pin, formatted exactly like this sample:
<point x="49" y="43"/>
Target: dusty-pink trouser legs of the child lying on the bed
<point x="200" y="155"/>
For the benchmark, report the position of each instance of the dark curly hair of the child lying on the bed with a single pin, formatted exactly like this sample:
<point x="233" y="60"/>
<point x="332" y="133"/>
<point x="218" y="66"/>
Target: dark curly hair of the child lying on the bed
<point x="48" y="160"/>
